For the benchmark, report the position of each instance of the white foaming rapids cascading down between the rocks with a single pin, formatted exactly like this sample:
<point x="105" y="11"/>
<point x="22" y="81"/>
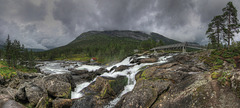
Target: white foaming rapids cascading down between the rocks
<point x="63" y="67"/>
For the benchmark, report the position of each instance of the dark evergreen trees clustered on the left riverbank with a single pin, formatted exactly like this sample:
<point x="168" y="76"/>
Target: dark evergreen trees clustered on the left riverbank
<point x="15" y="54"/>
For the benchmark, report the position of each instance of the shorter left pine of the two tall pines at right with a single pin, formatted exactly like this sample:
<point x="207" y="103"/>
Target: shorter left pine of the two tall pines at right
<point x="215" y="30"/>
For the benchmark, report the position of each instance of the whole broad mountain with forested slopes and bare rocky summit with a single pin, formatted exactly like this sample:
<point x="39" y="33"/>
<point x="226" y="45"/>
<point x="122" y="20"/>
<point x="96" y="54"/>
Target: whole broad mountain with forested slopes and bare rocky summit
<point x="105" y="45"/>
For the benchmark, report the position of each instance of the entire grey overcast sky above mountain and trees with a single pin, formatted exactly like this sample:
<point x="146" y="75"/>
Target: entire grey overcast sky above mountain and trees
<point x="52" y="23"/>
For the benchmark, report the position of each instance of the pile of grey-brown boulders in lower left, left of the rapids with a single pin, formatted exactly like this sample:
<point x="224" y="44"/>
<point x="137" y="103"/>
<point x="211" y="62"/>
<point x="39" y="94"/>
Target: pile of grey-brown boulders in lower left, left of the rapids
<point x="35" y="90"/>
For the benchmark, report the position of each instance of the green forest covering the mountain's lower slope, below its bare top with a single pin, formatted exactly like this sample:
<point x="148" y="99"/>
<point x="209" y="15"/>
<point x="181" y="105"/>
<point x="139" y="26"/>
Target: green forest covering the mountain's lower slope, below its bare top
<point x="105" y="49"/>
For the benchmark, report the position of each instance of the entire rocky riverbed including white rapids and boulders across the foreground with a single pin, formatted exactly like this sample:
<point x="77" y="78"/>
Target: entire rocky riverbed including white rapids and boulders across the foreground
<point x="158" y="81"/>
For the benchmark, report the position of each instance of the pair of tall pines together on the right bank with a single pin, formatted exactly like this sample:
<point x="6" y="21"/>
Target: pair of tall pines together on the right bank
<point x="223" y="27"/>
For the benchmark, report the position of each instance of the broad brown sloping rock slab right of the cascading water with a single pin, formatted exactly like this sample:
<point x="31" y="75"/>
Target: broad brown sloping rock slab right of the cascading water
<point x="182" y="83"/>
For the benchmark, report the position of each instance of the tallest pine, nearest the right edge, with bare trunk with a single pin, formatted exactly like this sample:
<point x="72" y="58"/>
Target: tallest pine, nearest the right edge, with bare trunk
<point x="231" y="21"/>
